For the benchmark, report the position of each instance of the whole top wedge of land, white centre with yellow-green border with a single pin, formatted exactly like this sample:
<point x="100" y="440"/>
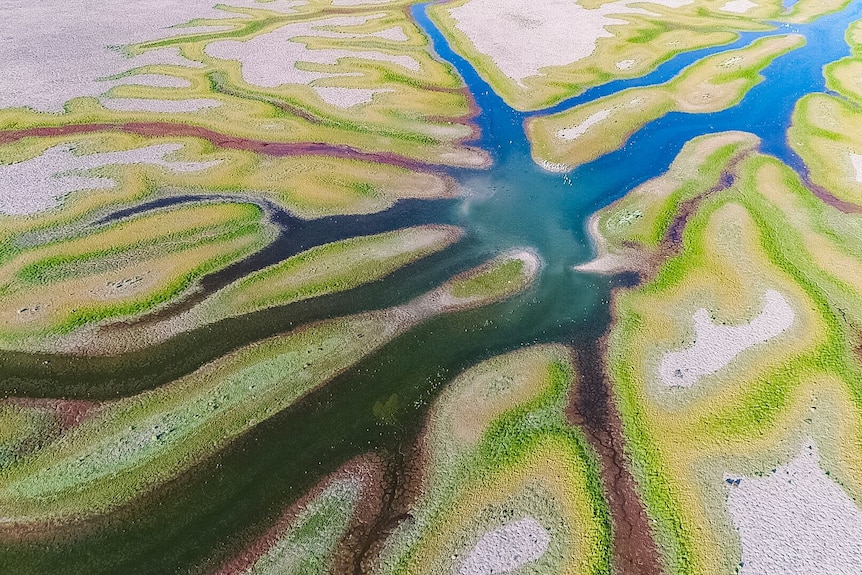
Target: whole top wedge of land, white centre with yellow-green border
<point x="627" y="43"/>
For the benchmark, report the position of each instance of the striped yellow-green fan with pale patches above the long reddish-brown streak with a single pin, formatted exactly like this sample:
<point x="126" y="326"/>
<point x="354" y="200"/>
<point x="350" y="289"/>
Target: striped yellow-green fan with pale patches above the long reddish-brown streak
<point x="379" y="89"/>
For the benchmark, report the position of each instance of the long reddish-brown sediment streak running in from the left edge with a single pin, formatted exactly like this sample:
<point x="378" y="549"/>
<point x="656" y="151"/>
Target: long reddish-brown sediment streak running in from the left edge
<point x="275" y="149"/>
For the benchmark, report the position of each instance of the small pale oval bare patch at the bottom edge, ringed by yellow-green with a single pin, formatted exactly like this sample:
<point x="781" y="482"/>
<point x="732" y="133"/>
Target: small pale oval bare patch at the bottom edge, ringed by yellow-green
<point x="505" y="549"/>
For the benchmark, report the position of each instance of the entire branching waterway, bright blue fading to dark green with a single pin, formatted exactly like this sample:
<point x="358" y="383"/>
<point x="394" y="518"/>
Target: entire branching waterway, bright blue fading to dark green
<point x="196" y="522"/>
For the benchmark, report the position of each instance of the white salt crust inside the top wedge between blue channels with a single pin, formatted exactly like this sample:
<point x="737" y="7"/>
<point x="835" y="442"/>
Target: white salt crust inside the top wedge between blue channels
<point x="558" y="32"/>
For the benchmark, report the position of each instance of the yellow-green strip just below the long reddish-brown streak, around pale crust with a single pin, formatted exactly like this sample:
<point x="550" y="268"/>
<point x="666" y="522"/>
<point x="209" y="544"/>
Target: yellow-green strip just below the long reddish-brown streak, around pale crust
<point x="308" y="185"/>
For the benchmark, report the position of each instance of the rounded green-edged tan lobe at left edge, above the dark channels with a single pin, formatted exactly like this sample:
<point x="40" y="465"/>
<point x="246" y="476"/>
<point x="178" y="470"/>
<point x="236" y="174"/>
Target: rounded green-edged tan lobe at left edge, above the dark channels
<point x="122" y="270"/>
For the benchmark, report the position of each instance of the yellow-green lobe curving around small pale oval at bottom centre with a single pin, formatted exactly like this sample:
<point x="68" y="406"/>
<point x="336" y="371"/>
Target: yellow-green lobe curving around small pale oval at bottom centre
<point x="499" y="449"/>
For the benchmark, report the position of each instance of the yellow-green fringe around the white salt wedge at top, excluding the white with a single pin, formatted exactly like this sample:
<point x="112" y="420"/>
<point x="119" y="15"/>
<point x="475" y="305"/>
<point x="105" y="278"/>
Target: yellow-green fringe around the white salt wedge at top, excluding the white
<point x="646" y="39"/>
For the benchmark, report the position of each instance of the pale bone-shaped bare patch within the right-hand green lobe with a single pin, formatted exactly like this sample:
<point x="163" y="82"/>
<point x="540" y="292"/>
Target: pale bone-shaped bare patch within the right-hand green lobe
<point x="716" y="345"/>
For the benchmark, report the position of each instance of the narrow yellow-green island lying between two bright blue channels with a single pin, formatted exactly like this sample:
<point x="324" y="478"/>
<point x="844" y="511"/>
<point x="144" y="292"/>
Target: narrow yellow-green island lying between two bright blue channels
<point x="581" y="134"/>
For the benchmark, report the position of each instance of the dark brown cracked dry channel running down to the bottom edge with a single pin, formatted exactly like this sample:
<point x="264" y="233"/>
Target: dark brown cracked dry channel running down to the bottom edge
<point x="592" y="409"/>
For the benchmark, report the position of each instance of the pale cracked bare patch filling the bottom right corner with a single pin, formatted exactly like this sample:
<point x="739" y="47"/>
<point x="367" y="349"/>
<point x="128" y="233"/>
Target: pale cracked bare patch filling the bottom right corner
<point x="796" y="521"/>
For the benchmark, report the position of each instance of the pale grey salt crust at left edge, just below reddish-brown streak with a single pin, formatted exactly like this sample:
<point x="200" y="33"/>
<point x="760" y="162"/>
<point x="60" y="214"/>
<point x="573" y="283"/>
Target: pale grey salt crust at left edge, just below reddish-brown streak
<point x="40" y="183"/>
